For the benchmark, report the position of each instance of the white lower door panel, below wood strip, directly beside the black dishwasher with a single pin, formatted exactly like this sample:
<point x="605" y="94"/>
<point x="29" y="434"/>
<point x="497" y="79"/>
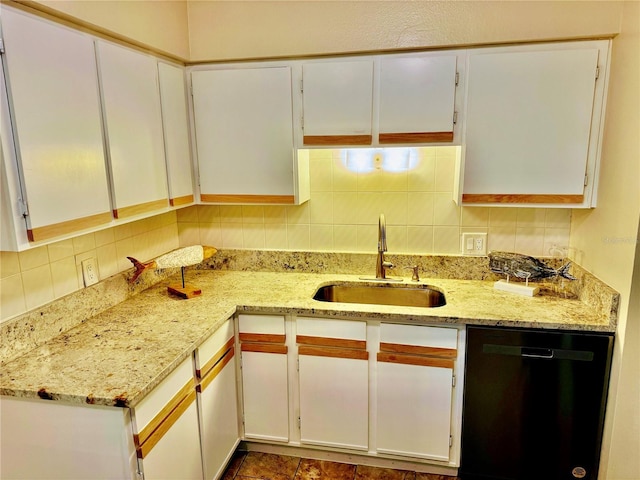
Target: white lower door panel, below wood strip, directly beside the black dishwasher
<point x="414" y="410"/>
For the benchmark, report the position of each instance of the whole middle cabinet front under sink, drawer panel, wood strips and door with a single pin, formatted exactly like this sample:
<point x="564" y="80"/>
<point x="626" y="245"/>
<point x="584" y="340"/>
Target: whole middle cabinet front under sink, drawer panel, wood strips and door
<point x="333" y="380"/>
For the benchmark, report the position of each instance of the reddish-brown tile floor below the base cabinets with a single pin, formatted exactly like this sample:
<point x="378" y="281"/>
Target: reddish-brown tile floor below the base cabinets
<point x="267" y="466"/>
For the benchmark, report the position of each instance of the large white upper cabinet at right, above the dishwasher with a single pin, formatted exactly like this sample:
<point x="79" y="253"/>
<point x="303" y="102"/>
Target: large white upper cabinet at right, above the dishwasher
<point x="533" y="121"/>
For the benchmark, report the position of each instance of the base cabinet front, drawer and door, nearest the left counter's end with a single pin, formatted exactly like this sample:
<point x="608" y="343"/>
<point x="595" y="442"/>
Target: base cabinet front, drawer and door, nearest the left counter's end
<point x="167" y="436"/>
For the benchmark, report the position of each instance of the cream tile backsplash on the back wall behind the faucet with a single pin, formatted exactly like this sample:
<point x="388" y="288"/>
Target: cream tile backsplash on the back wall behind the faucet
<point x="346" y="199"/>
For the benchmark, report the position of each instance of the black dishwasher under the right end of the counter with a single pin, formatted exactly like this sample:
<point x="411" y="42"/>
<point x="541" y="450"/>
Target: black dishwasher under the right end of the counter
<point x="534" y="403"/>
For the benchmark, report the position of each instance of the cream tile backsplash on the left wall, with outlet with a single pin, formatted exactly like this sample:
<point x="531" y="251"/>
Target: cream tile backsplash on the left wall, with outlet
<point x="35" y="277"/>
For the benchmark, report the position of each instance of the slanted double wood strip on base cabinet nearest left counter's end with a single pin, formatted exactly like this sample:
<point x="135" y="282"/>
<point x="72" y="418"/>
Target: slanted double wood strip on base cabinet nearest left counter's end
<point x="162" y="422"/>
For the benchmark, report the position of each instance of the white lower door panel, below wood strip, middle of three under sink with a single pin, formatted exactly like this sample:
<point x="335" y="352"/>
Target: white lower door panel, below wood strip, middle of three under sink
<point x="334" y="402"/>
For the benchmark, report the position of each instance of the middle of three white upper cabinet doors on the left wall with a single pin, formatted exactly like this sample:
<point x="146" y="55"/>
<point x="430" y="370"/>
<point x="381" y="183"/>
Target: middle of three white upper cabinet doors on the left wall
<point x="133" y="125"/>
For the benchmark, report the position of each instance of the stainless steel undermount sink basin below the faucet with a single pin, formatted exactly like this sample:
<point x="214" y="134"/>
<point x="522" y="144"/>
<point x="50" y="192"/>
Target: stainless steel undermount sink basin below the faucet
<point x="401" y="295"/>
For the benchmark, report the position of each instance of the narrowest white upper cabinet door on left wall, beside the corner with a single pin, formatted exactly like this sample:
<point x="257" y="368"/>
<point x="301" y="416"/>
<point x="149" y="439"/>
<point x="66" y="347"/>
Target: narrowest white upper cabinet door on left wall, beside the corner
<point x="175" y="119"/>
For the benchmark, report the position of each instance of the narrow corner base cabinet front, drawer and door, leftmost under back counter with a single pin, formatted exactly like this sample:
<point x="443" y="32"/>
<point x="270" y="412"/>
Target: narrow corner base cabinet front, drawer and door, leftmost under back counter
<point x="265" y="386"/>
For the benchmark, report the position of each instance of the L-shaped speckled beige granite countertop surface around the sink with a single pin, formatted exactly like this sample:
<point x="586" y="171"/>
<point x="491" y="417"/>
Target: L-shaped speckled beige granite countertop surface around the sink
<point x="118" y="356"/>
